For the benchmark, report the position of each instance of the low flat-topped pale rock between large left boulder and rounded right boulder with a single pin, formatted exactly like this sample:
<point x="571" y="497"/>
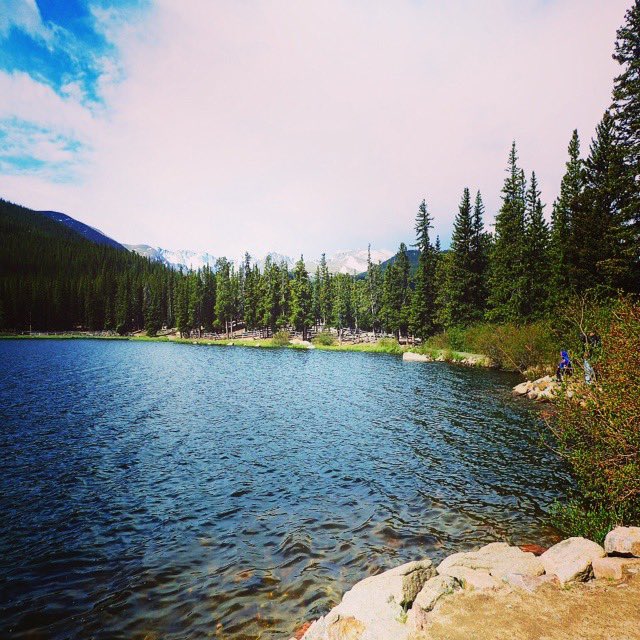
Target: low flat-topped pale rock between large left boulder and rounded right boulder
<point x="498" y="559"/>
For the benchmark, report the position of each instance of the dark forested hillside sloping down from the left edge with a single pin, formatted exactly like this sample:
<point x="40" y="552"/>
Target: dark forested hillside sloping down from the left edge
<point x="51" y="277"/>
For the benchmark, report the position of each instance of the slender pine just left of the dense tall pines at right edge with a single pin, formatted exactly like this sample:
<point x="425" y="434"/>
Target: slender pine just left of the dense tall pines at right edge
<point x="565" y="209"/>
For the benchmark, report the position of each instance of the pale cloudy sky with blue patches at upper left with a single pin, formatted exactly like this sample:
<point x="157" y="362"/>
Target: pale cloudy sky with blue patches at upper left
<point x="290" y="126"/>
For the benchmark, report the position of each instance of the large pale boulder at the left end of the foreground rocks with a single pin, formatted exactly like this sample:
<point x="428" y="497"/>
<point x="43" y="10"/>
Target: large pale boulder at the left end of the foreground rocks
<point x="375" y="608"/>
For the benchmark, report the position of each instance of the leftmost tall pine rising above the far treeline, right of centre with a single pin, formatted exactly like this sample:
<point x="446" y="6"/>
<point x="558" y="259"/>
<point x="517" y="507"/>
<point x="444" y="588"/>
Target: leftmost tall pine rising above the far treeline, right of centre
<point x="423" y="309"/>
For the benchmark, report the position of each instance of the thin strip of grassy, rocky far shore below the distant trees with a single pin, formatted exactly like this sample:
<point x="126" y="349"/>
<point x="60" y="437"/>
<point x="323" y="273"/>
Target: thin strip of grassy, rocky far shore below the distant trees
<point x="387" y="346"/>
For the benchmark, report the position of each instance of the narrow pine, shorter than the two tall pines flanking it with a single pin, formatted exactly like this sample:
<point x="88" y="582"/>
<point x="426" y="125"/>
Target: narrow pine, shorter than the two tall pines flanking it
<point x="537" y="267"/>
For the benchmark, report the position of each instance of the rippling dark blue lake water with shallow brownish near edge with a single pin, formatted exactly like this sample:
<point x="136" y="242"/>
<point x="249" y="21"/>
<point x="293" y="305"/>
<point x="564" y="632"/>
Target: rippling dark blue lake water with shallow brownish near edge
<point x="156" y="490"/>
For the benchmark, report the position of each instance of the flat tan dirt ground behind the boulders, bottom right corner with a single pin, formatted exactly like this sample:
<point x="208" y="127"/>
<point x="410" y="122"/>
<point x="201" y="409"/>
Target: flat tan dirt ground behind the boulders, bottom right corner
<point x="596" y="610"/>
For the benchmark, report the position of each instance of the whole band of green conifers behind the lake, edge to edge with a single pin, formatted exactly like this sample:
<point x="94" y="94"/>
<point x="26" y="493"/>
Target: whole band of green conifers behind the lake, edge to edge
<point x="521" y="272"/>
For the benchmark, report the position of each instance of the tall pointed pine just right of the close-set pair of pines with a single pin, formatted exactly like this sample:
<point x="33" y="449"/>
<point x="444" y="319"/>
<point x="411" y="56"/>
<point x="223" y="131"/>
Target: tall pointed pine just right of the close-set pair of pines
<point x="506" y="267"/>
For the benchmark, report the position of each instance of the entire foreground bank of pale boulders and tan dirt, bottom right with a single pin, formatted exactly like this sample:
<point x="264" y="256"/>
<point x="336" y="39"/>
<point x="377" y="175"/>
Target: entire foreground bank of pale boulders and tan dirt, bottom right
<point x="520" y="592"/>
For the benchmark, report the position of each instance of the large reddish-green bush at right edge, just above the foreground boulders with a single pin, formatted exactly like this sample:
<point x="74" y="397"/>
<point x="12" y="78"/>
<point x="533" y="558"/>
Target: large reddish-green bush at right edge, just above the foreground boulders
<point x="598" y="432"/>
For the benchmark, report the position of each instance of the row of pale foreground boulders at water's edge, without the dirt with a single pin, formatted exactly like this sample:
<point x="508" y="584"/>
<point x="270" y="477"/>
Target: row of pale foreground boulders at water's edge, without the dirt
<point x="405" y="602"/>
